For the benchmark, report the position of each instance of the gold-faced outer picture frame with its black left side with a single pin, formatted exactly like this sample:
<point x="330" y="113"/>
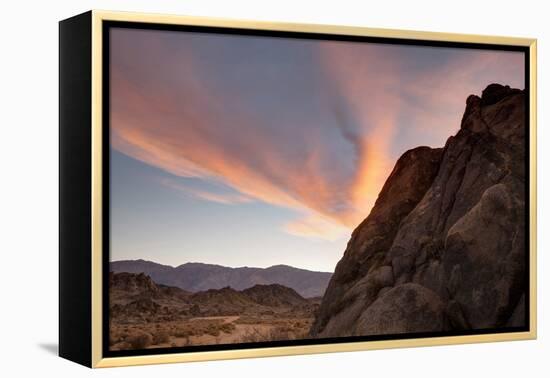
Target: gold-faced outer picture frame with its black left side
<point x="90" y="25"/>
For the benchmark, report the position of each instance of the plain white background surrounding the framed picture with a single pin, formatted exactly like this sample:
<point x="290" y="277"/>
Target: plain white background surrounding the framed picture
<point x="28" y="197"/>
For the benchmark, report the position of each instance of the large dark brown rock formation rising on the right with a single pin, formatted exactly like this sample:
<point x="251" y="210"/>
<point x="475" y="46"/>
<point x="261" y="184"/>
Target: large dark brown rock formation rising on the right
<point x="444" y="246"/>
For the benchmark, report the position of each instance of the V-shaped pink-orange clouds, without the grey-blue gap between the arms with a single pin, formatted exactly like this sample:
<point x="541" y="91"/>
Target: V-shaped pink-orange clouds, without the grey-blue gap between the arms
<point x="189" y="129"/>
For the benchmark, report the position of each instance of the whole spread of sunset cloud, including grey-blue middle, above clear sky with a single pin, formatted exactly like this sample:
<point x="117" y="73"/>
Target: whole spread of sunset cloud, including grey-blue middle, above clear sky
<point x="315" y="127"/>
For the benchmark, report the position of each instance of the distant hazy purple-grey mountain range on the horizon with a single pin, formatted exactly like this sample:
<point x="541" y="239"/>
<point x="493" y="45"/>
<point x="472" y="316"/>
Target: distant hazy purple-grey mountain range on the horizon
<point x="195" y="277"/>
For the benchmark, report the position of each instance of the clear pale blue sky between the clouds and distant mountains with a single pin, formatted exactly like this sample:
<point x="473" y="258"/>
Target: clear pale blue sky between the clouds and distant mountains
<point x="155" y="222"/>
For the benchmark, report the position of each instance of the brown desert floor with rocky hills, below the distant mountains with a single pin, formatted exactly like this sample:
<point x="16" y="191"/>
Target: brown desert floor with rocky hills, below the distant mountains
<point x="148" y="315"/>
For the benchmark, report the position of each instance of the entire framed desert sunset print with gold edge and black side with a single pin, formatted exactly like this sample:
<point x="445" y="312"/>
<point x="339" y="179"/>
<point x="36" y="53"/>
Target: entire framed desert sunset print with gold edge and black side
<point x="238" y="189"/>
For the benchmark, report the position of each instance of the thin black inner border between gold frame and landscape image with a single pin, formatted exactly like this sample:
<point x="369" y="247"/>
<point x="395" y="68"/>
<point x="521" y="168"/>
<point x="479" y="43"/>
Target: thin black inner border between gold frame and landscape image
<point x="107" y="25"/>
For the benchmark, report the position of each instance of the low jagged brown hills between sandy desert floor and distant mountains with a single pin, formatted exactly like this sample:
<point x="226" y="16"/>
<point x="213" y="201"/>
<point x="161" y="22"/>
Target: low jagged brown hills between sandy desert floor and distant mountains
<point x="135" y="297"/>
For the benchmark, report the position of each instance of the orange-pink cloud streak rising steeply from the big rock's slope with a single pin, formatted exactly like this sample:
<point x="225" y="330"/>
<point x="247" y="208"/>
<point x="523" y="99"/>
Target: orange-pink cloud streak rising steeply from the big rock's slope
<point x="365" y="78"/>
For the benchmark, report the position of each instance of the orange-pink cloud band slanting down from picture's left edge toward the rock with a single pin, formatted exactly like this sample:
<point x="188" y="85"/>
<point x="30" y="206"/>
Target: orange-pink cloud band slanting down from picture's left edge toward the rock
<point x="187" y="139"/>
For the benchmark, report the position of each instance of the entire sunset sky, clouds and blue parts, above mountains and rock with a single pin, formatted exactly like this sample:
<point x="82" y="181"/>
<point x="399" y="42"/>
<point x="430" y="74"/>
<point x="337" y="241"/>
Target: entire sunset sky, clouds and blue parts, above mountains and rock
<point x="256" y="151"/>
